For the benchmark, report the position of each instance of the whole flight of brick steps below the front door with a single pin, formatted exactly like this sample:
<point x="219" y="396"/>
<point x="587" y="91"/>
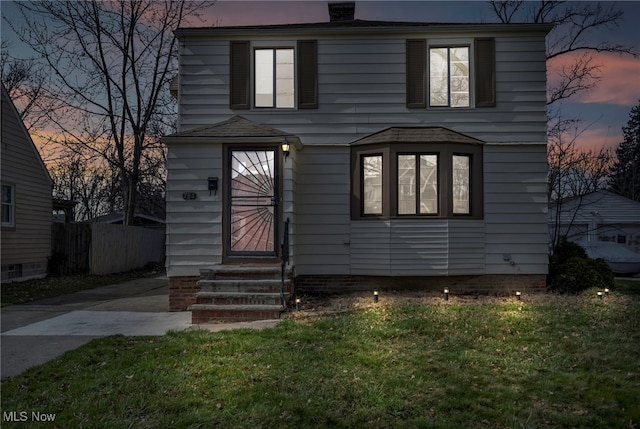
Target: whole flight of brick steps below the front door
<point x="240" y="293"/>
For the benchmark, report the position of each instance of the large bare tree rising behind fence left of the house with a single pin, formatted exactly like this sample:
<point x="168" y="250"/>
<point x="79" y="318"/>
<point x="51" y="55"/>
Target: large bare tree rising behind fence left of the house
<point x="110" y="65"/>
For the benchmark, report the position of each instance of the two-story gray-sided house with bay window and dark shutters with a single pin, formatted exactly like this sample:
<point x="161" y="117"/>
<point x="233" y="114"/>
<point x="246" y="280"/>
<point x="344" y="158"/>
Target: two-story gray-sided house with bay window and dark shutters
<point x="416" y="156"/>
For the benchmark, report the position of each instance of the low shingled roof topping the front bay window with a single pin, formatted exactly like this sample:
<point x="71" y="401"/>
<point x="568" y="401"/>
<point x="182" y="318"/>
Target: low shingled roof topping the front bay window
<point x="427" y="134"/>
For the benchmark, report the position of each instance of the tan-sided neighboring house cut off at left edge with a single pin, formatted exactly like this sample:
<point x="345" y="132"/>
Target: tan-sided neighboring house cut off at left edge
<point x="26" y="201"/>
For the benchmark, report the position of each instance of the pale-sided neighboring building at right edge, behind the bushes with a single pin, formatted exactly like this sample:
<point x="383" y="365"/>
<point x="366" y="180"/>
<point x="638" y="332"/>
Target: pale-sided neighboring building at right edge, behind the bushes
<point x="599" y="216"/>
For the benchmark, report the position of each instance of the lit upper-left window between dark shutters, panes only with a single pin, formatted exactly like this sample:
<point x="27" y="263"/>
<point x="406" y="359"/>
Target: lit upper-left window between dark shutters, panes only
<point x="274" y="78"/>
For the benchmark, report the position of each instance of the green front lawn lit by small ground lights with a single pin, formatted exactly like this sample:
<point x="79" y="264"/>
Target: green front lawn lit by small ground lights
<point x="545" y="362"/>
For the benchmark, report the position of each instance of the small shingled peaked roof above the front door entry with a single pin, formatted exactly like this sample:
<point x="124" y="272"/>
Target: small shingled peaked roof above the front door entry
<point x="234" y="129"/>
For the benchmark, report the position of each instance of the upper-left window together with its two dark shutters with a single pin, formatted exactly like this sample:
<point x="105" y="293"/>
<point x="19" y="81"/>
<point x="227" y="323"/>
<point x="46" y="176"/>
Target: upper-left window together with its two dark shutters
<point x="273" y="77"/>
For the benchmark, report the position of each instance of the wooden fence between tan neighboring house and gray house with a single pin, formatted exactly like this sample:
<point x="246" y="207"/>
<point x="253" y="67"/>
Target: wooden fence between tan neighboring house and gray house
<point x="100" y="248"/>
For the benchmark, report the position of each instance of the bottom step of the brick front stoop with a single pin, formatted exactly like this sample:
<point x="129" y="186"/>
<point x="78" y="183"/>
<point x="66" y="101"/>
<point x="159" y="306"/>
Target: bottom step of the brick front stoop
<point x="204" y="313"/>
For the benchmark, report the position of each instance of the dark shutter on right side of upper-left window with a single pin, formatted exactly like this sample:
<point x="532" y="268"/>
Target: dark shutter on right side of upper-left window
<point x="307" y="74"/>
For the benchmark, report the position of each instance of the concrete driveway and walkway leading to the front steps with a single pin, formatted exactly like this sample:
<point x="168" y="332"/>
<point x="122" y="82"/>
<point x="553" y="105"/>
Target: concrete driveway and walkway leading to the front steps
<point x="35" y="333"/>
